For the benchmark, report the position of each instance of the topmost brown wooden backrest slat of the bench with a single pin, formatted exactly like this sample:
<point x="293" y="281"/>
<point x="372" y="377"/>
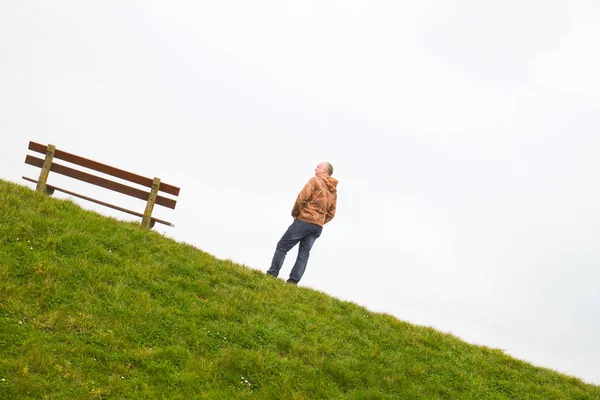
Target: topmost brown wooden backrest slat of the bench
<point x="106" y="169"/>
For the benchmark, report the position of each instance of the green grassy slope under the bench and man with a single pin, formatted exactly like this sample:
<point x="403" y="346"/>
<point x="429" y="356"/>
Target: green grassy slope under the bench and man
<point x="95" y="308"/>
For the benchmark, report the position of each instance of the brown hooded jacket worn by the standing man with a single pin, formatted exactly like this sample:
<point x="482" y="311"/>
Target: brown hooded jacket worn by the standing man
<point x="316" y="202"/>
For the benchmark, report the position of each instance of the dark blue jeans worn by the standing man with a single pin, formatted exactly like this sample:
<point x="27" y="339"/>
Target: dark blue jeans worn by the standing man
<point x="302" y="232"/>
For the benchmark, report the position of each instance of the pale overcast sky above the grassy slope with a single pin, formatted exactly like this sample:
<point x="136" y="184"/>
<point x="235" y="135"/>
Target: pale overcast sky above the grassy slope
<point x="464" y="136"/>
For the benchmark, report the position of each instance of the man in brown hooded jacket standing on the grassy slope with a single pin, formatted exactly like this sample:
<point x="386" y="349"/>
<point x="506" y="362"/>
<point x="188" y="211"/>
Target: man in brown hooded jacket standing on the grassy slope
<point x="314" y="207"/>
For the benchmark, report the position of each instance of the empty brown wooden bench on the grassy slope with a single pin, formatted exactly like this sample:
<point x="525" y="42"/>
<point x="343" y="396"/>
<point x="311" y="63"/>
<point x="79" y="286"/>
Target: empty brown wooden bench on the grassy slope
<point x="152" y="197"/>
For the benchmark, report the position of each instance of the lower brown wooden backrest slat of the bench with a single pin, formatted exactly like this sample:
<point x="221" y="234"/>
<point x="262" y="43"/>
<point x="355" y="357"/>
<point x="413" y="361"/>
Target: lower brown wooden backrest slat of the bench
<point x="98" y="181"/>
